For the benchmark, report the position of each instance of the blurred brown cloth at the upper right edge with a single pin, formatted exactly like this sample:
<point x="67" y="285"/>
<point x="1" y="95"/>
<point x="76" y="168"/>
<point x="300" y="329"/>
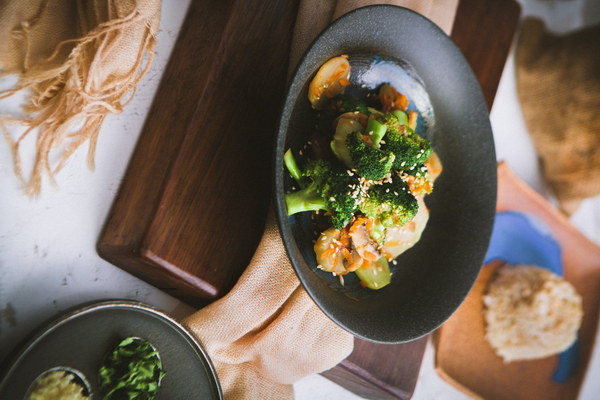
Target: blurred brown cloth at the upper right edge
<point x="558" y="84"/>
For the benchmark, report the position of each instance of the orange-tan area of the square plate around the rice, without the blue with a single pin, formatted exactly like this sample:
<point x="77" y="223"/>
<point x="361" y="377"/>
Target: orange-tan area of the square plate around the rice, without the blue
<point x="479" y="371"/>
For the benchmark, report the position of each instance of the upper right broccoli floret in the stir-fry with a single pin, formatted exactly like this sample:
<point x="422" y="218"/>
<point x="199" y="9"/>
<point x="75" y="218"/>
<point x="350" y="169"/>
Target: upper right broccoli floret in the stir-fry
<point x="411" y="149"/>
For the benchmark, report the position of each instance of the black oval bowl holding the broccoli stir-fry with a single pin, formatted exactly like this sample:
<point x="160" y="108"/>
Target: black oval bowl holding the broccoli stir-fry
<point x="430" y="280"/>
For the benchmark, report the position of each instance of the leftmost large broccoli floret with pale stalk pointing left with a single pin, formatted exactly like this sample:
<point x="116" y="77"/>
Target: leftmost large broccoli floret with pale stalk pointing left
<point x="326" y="186"/>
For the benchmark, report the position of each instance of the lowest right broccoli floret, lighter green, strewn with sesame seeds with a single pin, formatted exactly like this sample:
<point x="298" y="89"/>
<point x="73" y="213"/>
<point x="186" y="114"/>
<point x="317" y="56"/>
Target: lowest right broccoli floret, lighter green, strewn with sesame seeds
<point x="391" y="203"/>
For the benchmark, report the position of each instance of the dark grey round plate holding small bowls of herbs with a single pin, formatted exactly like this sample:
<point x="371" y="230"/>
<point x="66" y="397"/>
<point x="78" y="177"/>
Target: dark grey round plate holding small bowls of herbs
<point x="82" y="338"/>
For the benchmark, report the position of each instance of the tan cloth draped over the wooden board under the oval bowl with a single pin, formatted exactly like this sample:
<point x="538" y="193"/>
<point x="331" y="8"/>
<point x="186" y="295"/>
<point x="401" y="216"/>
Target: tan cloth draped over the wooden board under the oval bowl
<point x="266" y="333"/>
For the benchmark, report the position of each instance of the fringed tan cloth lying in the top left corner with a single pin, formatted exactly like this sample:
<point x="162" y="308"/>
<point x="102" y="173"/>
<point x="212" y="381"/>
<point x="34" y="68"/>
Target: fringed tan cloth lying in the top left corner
<point x="80" y="60"/>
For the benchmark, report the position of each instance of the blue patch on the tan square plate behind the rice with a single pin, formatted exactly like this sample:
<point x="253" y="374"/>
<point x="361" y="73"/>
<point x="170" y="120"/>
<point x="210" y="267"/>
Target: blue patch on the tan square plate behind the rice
<point x="519" y="238"/>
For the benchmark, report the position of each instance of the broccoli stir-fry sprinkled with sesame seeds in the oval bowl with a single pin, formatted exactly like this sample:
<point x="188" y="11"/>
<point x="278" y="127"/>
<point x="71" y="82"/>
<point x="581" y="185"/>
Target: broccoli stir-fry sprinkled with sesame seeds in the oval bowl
<point x="366" y="172"/>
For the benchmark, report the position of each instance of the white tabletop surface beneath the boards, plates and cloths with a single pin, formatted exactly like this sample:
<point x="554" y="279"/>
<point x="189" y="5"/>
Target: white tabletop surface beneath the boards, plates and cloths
<point x="48" y="261"/>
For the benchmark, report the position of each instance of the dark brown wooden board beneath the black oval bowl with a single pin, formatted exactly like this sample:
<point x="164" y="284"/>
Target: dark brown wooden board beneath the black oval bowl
<point x="192" y="205"/>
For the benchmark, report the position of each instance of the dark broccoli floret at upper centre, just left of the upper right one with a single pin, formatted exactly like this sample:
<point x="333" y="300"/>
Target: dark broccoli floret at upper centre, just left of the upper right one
<point x="369" y="162"/>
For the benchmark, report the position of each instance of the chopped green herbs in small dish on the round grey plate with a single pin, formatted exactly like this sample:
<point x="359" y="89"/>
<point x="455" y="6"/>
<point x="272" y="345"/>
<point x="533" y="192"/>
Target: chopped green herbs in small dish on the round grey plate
<point x="132" y="371"/>
